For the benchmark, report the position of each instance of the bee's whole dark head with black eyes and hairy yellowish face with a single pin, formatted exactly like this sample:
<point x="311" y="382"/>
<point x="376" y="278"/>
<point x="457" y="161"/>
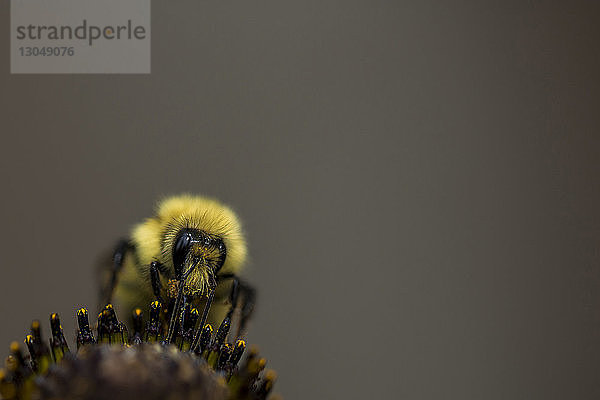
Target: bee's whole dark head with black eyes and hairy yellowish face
<point x="197" y="258"/>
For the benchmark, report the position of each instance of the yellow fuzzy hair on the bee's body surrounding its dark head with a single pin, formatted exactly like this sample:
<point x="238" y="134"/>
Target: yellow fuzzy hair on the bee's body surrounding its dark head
<point x="153" y="240"/>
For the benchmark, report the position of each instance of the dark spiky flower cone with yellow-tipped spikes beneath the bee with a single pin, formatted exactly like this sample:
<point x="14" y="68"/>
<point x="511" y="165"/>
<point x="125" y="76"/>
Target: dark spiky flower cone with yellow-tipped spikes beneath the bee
<point x="17" y="381"/>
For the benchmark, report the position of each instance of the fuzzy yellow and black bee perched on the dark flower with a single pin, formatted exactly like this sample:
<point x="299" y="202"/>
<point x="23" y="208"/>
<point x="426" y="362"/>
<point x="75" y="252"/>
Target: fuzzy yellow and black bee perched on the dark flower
<point x="189" y="253"/>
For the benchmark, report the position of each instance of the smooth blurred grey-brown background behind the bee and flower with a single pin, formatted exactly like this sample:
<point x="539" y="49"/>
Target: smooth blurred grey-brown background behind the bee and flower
<point x="418" y="182"/>
